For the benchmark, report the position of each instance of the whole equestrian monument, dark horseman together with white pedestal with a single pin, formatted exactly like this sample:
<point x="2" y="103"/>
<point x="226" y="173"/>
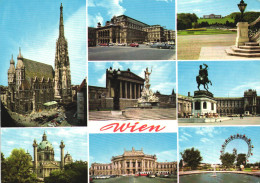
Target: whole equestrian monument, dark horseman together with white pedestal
<point x="204" y="104"/>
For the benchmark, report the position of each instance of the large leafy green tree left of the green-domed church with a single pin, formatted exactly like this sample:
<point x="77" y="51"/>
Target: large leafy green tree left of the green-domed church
<point x="17" y="168"/>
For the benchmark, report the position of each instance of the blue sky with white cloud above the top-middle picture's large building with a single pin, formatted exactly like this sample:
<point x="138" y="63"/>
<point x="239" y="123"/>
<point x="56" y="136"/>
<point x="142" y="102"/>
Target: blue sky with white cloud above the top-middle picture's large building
<point x="151" y="12"/>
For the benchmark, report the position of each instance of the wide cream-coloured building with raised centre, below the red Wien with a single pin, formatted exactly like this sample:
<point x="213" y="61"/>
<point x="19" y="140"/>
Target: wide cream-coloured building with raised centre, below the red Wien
<point x="132" y="162"/>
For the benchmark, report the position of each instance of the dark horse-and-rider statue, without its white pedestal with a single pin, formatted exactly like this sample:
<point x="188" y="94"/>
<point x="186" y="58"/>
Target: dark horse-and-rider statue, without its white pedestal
<point x="202" y="78"/>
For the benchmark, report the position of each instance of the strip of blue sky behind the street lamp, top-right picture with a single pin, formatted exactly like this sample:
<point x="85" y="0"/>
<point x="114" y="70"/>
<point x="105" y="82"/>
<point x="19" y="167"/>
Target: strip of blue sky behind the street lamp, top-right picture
<point x="219" y="7"/>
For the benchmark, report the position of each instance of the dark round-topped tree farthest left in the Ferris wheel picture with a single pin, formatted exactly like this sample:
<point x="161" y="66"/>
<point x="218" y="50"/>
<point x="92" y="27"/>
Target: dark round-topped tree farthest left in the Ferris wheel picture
<point x="192" y="157"/>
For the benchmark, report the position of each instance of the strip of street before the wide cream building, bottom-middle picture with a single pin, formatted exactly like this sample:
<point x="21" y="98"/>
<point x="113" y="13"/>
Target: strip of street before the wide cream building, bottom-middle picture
<point x="136" y="180"/>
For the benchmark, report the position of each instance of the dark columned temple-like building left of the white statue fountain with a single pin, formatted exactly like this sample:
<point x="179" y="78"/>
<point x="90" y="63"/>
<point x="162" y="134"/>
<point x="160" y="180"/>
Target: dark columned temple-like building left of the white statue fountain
<point x="122" y="90"/>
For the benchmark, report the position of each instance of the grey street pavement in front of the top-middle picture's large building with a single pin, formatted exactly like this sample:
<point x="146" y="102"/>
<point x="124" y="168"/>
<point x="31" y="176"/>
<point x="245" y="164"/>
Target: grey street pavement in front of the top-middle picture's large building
<point x="142" y="52"/>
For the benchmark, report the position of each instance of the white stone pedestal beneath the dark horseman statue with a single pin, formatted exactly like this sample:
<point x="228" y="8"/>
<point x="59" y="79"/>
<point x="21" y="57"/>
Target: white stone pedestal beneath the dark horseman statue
<point x="204" y="104"/>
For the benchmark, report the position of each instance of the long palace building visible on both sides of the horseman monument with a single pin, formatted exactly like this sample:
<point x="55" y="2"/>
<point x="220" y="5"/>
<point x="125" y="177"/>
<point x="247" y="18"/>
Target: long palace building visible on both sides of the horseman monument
<point x="249" y="104"/>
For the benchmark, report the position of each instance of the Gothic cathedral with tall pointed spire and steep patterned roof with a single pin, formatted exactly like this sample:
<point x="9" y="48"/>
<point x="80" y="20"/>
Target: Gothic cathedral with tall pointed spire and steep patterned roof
<point x="31" y="84"/>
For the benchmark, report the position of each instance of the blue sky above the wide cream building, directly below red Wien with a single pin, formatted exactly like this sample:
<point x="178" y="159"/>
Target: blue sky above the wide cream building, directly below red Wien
<point x="103" y="146"/>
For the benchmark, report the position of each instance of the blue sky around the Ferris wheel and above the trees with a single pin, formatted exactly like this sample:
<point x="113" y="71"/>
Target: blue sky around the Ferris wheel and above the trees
<point x="208" y="140"/>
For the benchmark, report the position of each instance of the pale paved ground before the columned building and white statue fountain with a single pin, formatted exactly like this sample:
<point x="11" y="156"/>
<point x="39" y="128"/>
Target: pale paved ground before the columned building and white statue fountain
<point x="134" y="114"/>
